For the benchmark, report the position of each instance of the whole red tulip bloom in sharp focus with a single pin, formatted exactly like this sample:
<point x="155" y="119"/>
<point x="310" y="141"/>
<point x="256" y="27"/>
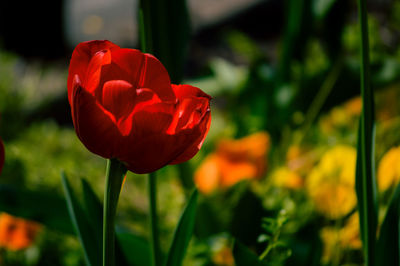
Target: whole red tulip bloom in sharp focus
<point x="124" y="106"/>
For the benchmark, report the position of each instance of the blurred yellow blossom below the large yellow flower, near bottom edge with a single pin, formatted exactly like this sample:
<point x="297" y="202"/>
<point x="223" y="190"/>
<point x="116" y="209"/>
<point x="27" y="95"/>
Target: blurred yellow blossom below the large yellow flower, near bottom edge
<point x="337" y="239"/>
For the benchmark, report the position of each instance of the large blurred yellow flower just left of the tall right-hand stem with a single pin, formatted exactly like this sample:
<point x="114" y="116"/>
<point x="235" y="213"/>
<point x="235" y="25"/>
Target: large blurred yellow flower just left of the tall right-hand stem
<point x="330" y="184"/>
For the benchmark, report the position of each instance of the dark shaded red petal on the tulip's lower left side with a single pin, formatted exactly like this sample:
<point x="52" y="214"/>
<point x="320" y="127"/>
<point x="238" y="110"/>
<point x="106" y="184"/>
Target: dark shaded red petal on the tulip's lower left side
<point x="94" y="125"/>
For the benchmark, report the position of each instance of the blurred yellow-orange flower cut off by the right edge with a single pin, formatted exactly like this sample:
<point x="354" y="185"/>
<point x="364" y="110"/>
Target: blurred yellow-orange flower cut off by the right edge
<point x="389" y="169"/>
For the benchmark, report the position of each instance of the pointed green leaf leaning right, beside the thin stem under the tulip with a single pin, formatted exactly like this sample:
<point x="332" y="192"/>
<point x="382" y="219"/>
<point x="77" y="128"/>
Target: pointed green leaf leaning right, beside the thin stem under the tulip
<point x="183" y="233"/>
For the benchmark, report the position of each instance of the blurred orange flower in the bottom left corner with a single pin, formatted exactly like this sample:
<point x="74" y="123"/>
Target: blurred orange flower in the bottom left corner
<point x="16" y="233"/>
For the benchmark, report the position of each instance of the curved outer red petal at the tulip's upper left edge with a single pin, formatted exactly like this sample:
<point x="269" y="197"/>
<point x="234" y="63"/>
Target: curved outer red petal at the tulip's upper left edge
<point x="81" y="57"/>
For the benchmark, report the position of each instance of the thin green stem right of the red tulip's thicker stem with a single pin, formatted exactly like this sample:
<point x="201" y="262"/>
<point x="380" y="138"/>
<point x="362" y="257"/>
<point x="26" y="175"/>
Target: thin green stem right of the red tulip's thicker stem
<point x="155" y="244"/>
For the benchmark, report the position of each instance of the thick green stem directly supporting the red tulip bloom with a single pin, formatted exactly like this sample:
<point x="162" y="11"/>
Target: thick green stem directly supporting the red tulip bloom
<point x="114" y="178"/>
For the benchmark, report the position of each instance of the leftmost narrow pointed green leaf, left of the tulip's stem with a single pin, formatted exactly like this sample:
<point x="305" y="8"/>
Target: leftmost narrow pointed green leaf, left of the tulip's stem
<point x="82" y="227"/>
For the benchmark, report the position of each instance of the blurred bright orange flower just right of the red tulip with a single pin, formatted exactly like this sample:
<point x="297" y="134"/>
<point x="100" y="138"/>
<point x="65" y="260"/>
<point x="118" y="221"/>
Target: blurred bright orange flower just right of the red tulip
<point x="233" y="161"/>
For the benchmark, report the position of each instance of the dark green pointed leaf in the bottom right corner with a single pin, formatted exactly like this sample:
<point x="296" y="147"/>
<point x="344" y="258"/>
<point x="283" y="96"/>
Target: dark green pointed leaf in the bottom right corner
<point x="388" y="245"/>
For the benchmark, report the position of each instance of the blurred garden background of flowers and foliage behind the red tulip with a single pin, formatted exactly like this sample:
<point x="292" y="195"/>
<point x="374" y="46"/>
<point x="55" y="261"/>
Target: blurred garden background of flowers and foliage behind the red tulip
<point x="277" y="169"/>
